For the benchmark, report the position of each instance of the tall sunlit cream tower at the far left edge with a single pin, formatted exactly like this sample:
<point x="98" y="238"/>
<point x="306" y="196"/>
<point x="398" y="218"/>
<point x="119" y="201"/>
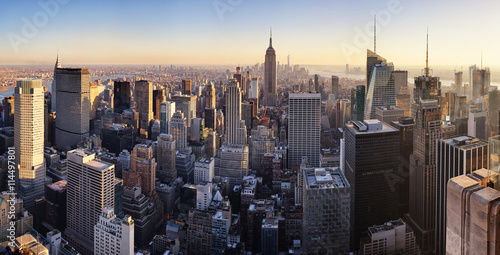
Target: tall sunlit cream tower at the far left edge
<point x="29" y="141"/>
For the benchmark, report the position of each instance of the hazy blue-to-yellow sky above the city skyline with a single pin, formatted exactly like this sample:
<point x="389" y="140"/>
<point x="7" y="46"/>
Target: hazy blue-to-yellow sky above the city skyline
<point x="237" y="31"/>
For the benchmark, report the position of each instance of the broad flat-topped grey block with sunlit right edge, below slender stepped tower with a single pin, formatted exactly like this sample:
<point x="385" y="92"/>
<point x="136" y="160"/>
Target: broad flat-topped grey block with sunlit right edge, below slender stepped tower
<point x="232" y="162"/>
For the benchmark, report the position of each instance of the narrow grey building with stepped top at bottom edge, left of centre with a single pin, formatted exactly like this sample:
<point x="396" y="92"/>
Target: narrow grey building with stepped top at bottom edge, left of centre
<point x="221" y="224"/>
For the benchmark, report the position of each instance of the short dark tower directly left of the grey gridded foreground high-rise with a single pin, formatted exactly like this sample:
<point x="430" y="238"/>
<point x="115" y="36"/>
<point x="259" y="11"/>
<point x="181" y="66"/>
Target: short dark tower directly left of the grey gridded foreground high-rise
<point x="55" y="204"/>
